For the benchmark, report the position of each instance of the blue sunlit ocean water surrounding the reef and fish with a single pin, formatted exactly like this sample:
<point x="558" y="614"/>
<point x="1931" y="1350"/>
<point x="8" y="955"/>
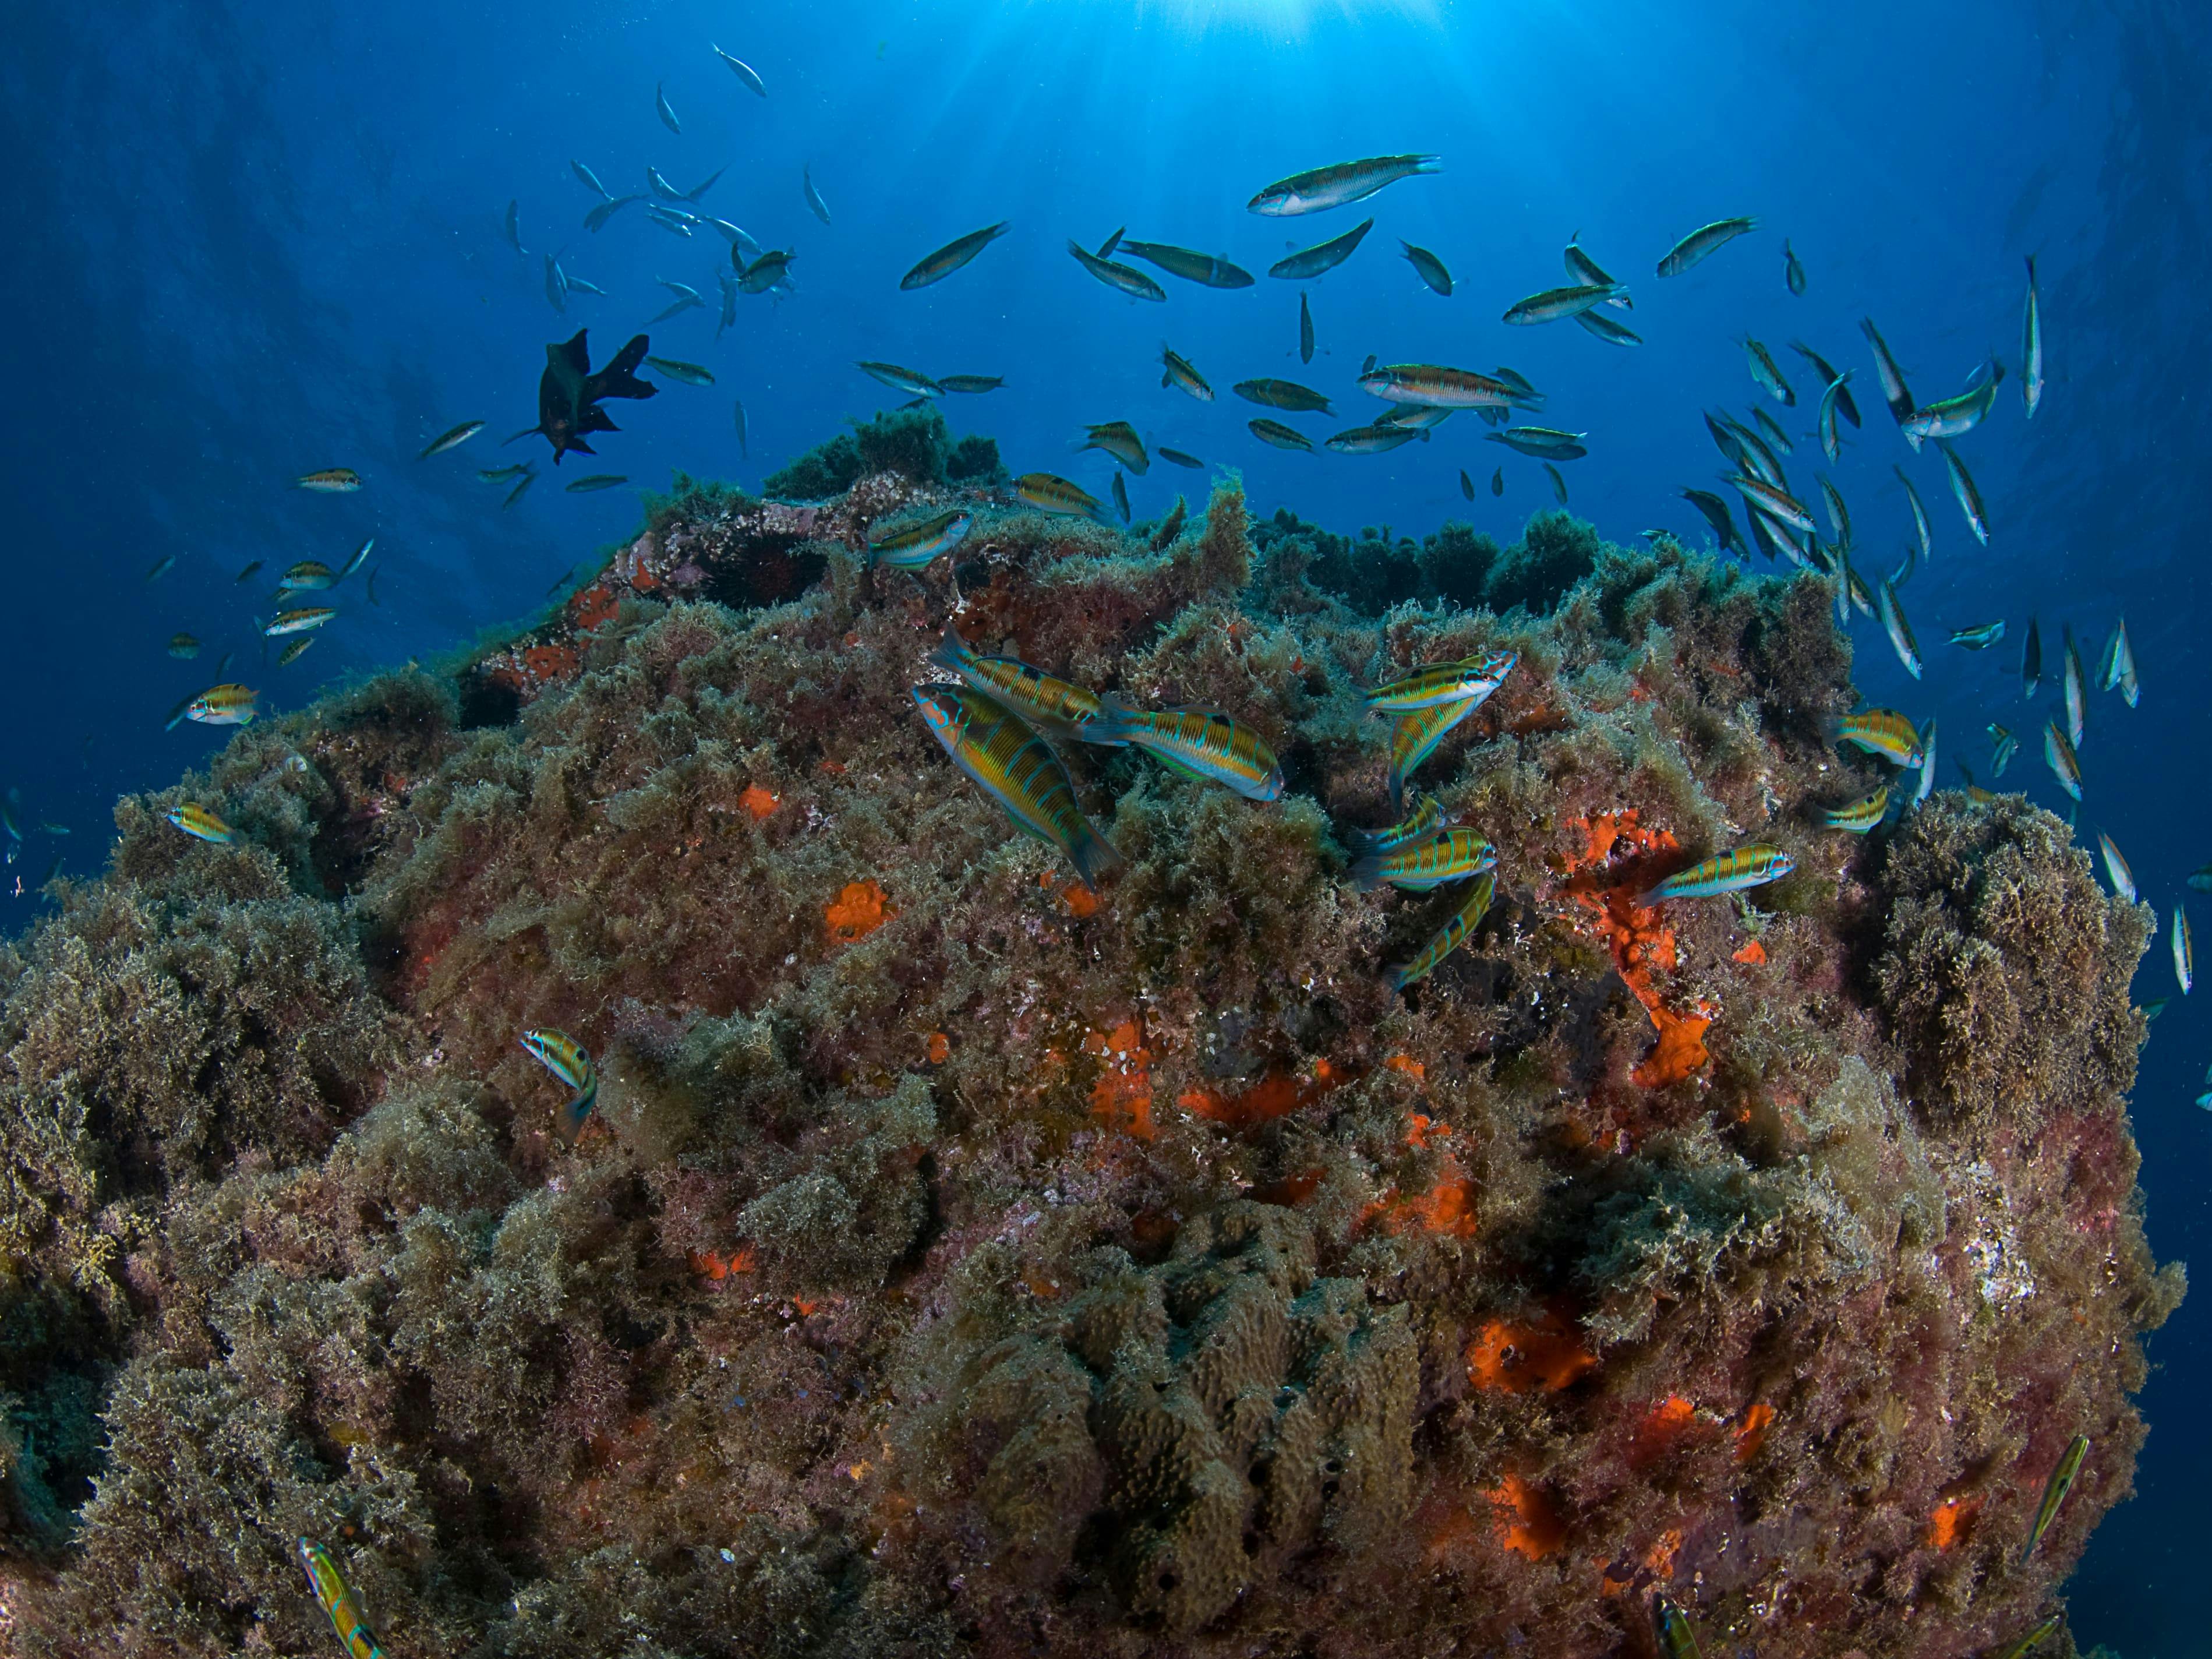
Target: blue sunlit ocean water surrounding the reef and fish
<point x="255" y="240"/>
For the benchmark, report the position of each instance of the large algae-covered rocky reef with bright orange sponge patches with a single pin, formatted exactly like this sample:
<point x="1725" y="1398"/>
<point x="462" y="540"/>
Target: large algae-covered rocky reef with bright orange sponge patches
<point x="972" y="1264"/>
